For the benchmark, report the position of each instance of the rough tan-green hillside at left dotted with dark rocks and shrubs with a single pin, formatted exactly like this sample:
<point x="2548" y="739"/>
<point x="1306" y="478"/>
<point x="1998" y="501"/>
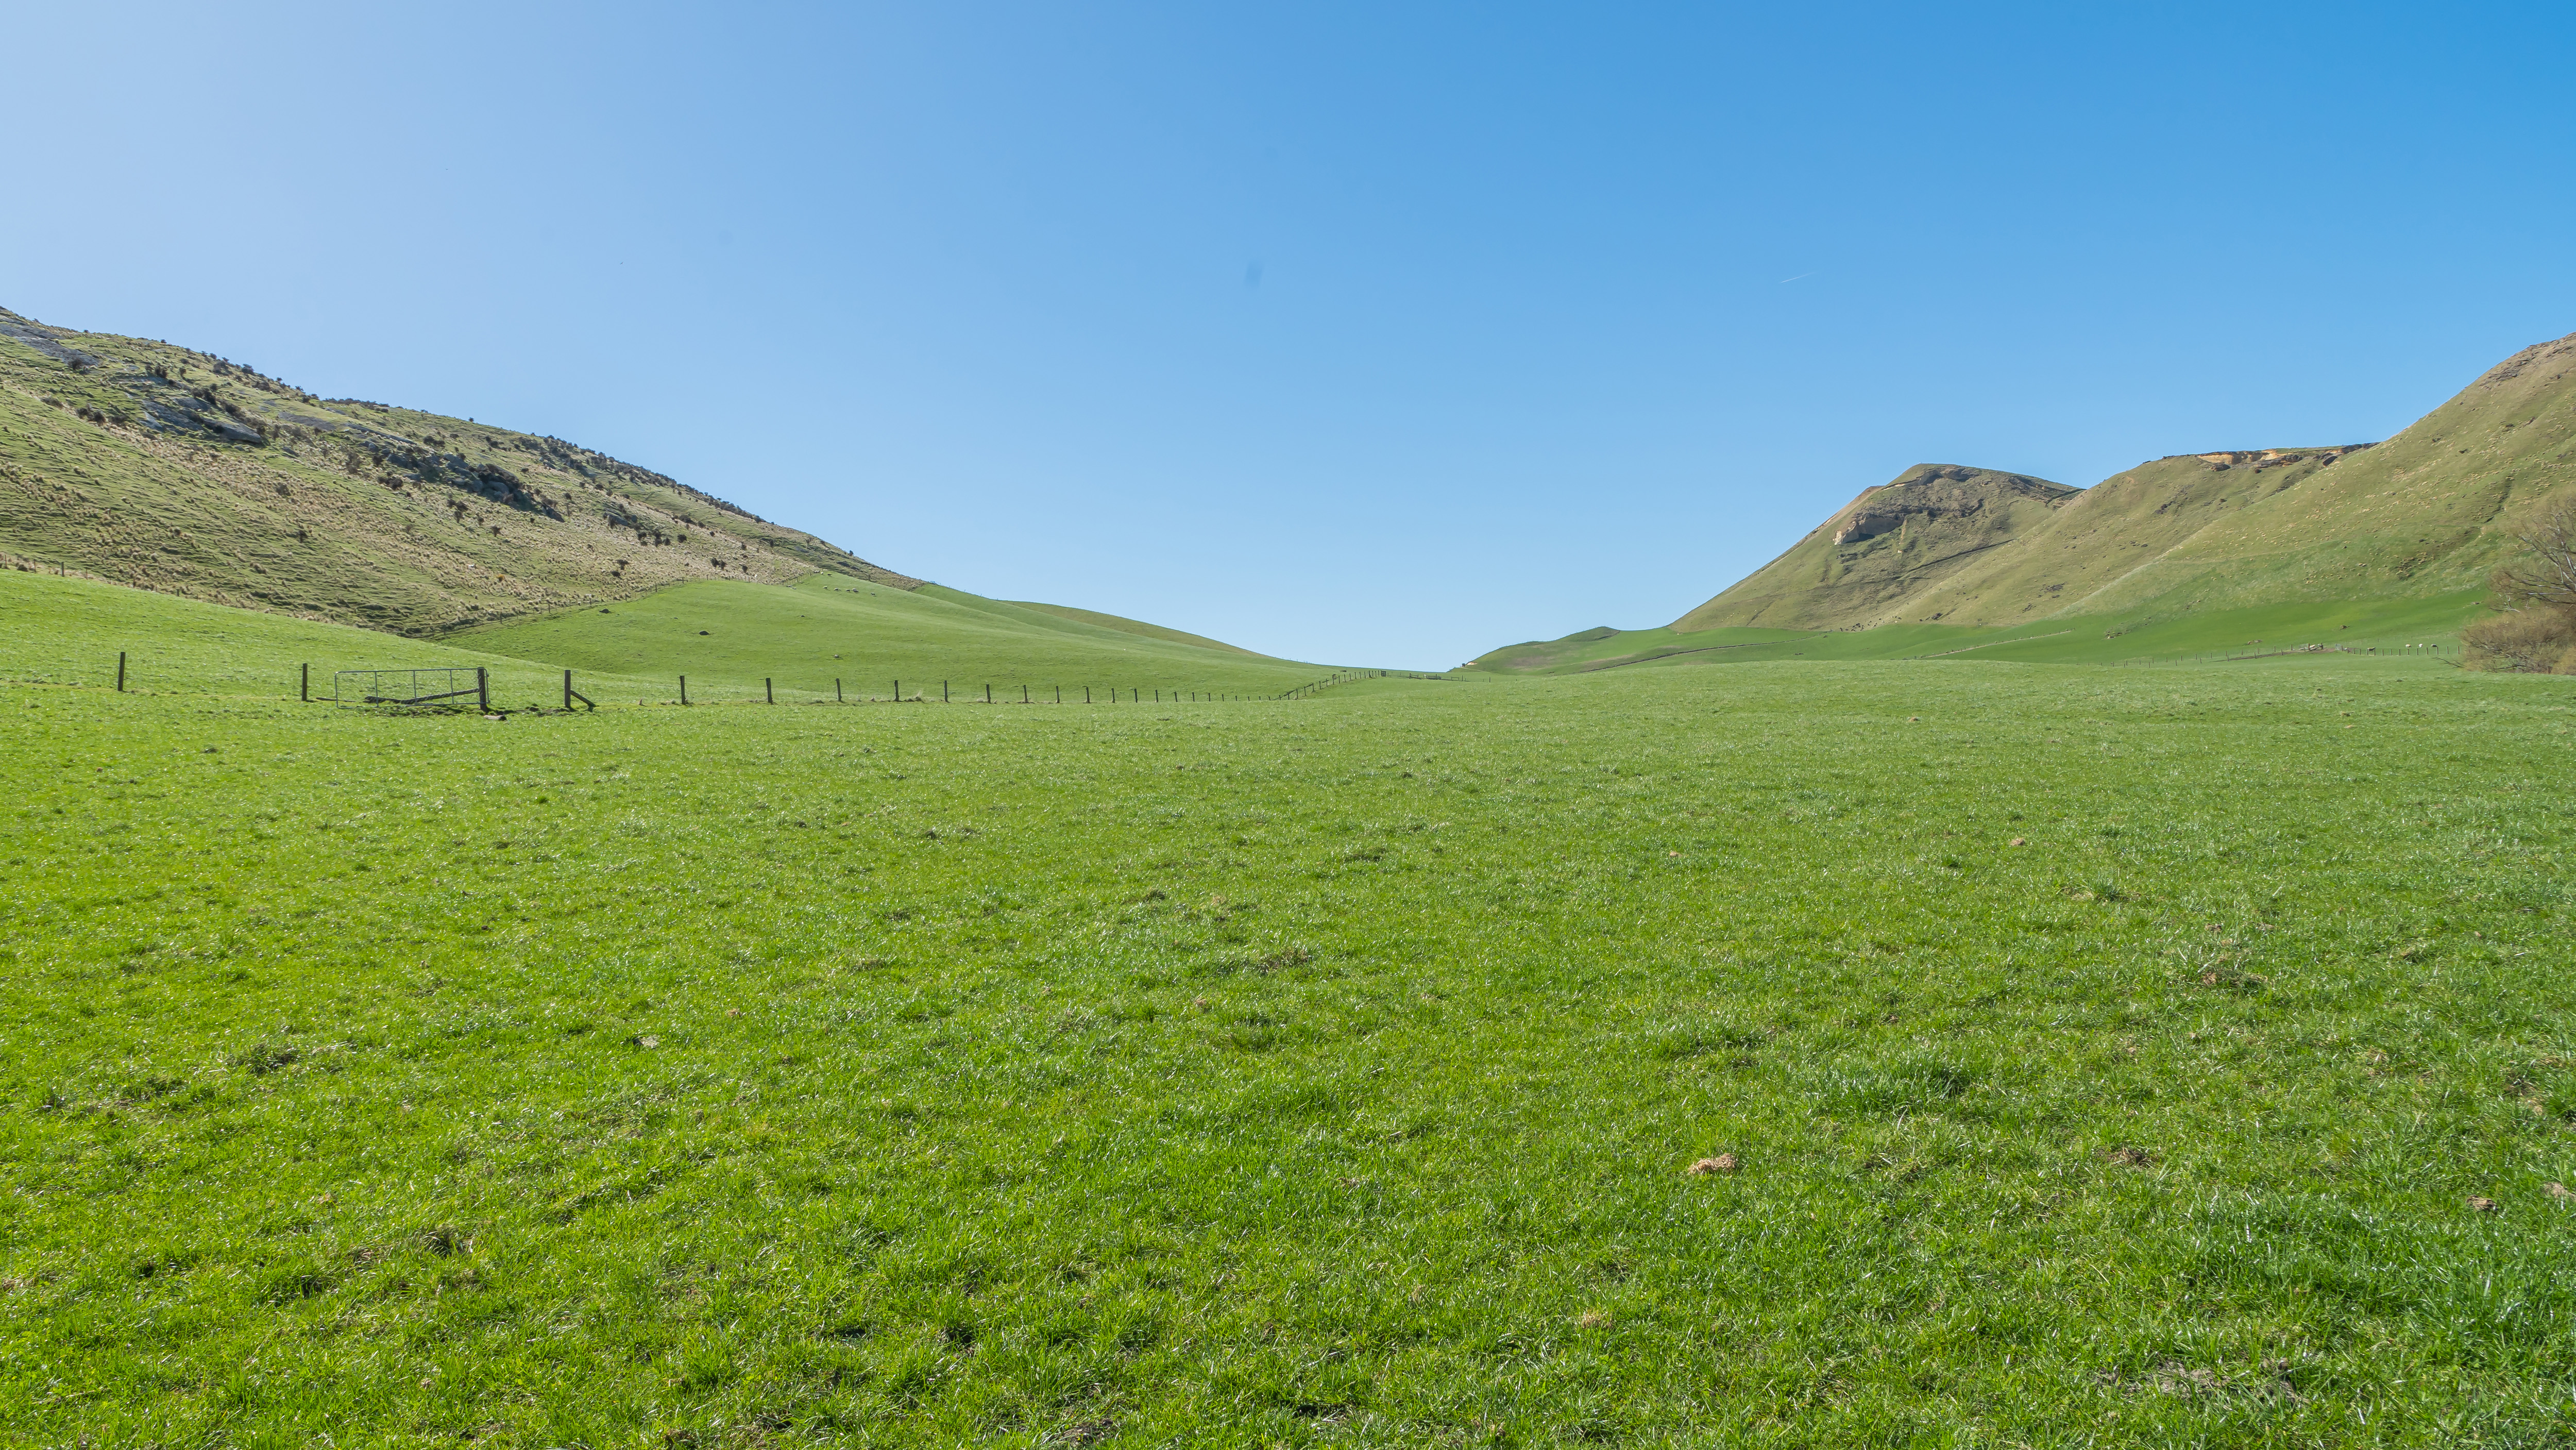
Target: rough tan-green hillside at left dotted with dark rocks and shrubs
<point x="171" y="470"/>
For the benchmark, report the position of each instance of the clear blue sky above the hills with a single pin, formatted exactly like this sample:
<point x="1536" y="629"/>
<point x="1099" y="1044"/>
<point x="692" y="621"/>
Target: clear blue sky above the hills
<point x="1372" y="334"/>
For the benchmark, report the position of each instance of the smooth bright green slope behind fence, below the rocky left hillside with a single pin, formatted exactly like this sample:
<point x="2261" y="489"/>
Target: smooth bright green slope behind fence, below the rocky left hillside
<point x="733" y="635"/>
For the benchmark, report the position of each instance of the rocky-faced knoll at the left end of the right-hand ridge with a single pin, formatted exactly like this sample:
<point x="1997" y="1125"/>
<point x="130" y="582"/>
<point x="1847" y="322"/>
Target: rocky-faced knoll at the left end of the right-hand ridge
<point x="1879" y="552"/>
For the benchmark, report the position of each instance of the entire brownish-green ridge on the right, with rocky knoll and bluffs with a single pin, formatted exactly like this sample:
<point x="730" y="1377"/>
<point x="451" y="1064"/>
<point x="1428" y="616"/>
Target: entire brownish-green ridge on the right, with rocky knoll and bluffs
<point x="2418" y="516"/>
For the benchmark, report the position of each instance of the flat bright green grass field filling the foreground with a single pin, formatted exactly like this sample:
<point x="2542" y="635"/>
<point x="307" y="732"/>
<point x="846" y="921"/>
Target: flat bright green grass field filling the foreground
<point x="2080" y="1057"/>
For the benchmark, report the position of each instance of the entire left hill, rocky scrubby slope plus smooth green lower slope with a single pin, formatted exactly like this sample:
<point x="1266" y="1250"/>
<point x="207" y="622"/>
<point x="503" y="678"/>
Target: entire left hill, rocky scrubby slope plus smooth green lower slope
<point x="169" y="470"/>
